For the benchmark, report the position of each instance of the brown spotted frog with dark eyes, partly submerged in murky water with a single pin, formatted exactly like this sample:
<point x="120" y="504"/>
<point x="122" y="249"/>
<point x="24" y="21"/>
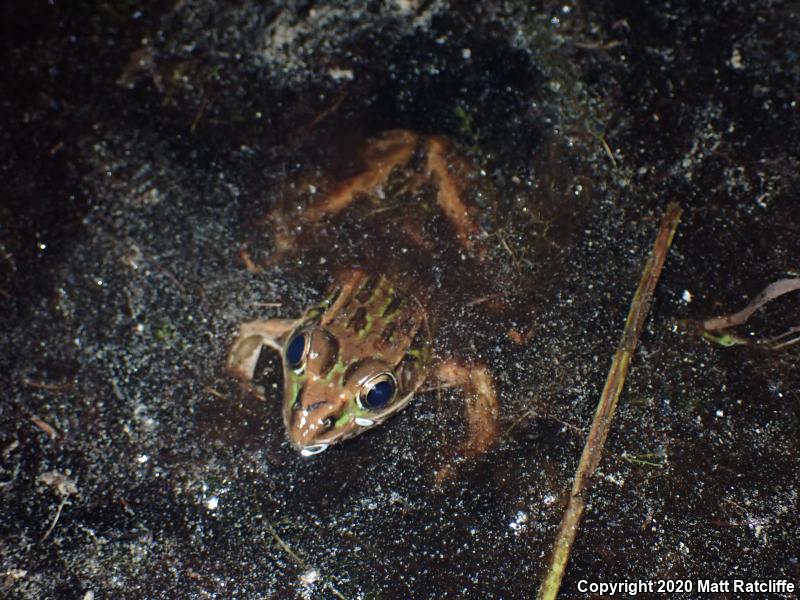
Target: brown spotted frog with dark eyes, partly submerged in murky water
<point x="367" y="349"/>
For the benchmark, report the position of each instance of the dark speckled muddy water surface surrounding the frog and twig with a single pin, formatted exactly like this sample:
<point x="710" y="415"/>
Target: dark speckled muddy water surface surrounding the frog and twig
<point x="142" y="148"/>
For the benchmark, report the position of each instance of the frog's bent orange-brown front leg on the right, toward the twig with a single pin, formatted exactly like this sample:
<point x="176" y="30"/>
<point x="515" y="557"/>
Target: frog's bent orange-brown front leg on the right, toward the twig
<point x="482" y="410"/>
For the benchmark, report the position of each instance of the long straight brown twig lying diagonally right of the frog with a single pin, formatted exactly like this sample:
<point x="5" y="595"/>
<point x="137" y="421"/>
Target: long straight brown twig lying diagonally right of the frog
<point x="593" y="449"/>
